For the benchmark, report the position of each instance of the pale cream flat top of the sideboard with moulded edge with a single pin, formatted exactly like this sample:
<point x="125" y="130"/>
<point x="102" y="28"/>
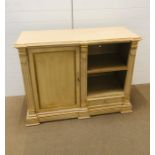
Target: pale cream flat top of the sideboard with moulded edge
<point x="75" y="36"/>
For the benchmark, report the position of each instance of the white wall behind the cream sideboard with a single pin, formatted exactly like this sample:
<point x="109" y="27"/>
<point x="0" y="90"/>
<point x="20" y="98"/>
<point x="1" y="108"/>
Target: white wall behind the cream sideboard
<point x="24" y="15"/>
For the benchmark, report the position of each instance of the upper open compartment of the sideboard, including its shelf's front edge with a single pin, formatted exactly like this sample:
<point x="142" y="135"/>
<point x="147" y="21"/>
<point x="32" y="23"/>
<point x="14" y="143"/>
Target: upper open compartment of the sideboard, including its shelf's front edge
<point x="107" y="57"/>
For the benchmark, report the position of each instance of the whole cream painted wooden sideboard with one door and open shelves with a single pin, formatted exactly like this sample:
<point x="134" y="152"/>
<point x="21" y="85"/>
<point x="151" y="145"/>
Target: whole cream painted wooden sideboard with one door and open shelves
<point x="76" y="73"/>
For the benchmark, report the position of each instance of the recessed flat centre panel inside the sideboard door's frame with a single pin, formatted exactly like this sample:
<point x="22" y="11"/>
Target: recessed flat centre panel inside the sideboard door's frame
<point x="55" y="78"/>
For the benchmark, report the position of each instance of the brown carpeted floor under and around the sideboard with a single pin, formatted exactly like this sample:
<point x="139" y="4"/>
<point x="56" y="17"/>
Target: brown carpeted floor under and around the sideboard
<point x="110" y="134"/>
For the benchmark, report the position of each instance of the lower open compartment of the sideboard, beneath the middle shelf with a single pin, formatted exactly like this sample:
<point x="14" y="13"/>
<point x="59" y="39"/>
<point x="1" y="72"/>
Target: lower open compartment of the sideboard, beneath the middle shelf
<point x="105" y="84"/>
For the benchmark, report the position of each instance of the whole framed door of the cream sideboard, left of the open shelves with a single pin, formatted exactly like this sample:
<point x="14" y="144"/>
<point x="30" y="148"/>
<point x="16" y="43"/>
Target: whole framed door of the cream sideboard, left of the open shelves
<point x="55" y="77"/>
